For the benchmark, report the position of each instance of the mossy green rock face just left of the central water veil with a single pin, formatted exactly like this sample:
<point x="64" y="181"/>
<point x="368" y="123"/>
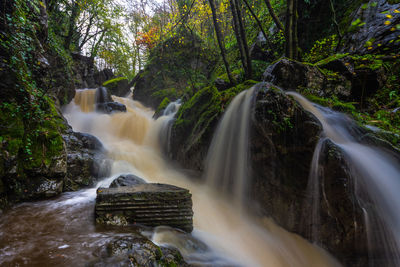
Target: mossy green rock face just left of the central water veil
<point x="196" y="121"/>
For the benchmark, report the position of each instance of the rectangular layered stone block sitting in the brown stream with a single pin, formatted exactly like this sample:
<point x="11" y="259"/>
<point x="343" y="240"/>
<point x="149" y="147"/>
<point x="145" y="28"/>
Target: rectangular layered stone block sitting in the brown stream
<point x="146" y="204"/>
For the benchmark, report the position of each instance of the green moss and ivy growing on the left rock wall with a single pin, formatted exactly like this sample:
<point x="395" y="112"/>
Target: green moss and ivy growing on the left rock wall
<point x="30" y="125"/>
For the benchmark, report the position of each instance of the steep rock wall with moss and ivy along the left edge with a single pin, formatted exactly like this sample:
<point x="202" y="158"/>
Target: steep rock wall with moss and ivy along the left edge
<point x="36" y="77"/>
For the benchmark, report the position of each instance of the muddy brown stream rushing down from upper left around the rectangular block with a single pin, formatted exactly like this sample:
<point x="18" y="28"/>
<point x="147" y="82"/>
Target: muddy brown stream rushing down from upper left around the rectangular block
<point x="61" y="232"/>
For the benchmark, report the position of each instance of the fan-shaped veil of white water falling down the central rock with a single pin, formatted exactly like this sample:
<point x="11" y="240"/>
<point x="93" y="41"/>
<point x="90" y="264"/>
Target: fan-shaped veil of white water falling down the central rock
<point x="227" y="160"/>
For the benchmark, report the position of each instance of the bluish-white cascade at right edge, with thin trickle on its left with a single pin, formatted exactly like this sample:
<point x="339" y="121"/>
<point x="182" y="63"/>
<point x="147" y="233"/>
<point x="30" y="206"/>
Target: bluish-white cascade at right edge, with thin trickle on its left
<point x="376" y="175"/>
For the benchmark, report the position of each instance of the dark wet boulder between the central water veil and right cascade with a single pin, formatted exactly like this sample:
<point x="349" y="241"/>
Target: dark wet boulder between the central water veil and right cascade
<point x="281" y="149"/>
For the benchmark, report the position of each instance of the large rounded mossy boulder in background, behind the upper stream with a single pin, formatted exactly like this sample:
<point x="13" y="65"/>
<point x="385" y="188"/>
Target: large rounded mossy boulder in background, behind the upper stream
<point x="179" y="61"/>
